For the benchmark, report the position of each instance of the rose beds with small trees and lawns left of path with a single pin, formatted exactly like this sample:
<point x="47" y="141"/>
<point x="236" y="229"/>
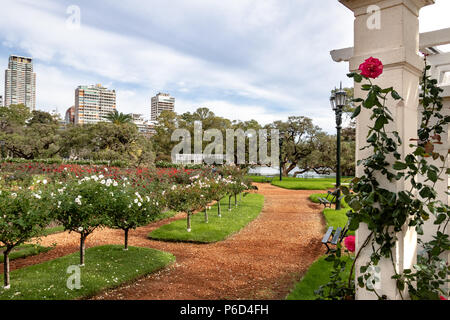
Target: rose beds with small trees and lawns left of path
<point x="38" y="199"/>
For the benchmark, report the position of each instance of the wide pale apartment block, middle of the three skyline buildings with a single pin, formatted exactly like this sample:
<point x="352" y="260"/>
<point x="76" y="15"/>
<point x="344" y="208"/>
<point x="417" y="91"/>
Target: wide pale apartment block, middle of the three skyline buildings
<point x="93" y="103"/>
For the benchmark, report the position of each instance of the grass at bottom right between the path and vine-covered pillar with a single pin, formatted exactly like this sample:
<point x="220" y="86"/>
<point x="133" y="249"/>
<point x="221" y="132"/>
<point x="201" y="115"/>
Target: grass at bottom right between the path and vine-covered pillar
<point x="318" y="274"/>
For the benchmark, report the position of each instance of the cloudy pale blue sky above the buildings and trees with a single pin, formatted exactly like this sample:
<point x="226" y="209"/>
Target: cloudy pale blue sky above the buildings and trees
<point x="244" y="59"/>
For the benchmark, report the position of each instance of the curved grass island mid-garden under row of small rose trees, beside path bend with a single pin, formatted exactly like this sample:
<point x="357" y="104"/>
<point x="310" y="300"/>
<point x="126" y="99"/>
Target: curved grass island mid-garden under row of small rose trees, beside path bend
<point x="217" y="229"/>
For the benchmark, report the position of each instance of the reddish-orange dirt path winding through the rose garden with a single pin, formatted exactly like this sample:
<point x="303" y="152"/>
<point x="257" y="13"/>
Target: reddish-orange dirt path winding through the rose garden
<point x="260" y="262"/>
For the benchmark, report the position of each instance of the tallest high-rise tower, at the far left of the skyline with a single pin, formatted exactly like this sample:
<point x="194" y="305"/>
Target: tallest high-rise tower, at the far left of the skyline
<point x="20" y="82"/>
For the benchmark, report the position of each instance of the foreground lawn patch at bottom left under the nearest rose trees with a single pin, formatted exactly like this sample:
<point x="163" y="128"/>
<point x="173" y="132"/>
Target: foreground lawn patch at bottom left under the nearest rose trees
<point x="106" y="267"/>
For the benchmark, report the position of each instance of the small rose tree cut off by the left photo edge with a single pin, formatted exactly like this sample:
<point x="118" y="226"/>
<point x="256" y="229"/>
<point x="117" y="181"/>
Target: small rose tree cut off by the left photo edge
<point x="23" y="215"/>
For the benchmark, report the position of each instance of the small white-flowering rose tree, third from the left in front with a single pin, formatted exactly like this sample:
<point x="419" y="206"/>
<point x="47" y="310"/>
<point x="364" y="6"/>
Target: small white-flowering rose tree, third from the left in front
<point x="129" y="209"/>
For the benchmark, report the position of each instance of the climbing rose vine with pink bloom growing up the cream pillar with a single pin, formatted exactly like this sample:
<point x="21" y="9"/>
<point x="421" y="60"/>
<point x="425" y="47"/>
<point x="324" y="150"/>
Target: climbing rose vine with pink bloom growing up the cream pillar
<point x="384" y="212"/>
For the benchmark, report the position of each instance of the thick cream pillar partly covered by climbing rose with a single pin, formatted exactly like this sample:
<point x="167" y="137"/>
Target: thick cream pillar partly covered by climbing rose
<point x="388" y="30"/>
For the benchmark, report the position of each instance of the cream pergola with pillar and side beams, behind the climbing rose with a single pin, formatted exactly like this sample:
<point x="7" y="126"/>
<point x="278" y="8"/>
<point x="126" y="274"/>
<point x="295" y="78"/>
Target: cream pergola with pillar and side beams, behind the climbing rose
<point x="397" y="43"/>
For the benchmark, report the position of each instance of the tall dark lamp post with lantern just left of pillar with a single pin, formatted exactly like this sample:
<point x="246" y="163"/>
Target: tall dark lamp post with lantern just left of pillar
<point x="338" y="100"/>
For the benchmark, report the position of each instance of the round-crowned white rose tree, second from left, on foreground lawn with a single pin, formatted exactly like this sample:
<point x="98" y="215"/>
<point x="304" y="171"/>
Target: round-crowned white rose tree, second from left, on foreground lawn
<point x="80" y="206"/>
